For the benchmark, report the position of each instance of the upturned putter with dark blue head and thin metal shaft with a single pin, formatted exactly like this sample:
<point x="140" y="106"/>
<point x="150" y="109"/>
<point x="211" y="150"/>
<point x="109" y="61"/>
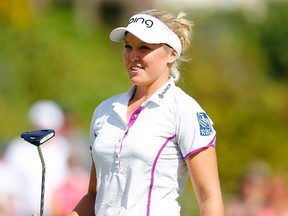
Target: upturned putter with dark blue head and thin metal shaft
<point x="37" y="138"/>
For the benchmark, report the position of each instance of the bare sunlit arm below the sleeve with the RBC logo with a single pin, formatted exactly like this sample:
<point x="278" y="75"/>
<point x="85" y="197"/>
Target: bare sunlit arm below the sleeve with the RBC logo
<point x="205" y="180"/>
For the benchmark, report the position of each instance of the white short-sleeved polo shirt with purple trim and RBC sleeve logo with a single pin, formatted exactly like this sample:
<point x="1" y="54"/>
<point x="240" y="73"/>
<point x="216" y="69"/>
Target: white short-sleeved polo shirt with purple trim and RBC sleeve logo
<point x="140" y="164"/>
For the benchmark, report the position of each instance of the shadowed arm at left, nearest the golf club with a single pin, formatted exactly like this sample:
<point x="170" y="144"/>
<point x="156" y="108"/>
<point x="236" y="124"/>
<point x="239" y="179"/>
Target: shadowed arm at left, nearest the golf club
<point x="85" y="207"/>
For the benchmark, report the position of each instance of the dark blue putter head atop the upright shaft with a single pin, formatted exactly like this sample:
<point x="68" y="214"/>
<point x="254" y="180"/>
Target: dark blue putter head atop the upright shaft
<point x="38" y="137"/>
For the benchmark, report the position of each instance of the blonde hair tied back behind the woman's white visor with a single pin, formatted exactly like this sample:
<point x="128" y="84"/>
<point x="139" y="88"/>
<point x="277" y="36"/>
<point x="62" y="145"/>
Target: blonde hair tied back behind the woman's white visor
<point x="181" y="27"/>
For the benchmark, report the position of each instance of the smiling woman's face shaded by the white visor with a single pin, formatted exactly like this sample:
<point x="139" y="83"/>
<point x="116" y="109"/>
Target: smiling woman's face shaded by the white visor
<point x="147" y="64"/>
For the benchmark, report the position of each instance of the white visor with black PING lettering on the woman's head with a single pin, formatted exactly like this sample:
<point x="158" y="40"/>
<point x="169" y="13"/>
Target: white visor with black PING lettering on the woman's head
<point x="148" y="29"/>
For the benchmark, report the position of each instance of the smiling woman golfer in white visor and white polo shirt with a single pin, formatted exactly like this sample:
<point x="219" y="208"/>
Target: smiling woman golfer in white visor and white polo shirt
<point x="147" y="141"/>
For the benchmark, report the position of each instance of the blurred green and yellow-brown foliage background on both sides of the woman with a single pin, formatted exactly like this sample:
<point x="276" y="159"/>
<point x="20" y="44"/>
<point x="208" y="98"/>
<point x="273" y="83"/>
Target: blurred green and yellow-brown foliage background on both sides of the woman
<point x="238" y="72"/>
